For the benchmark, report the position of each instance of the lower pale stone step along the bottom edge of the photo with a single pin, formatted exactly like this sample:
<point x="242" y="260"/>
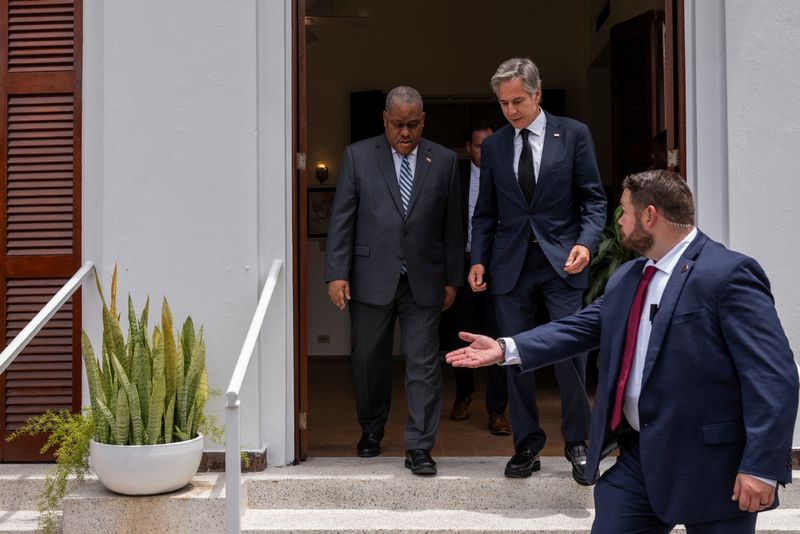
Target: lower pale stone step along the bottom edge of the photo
<point x="542" y="521"/>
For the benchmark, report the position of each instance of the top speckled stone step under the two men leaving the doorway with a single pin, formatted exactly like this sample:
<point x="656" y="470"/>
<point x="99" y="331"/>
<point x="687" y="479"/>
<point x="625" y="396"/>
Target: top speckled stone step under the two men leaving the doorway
<point x="475" y="483"/>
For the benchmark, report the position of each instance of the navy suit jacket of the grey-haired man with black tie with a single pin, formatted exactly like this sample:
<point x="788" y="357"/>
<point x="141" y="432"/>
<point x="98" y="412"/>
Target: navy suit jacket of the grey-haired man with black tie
<point x="568" y="208"/>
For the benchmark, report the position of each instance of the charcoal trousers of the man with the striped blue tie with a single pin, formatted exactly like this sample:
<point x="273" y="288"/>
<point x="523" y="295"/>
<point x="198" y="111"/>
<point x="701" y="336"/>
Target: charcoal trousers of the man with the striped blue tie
<point x="372" y="330"/>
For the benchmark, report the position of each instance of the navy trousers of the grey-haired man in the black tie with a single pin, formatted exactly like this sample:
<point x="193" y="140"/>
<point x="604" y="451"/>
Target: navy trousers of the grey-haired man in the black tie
<point x="516" y="312"/>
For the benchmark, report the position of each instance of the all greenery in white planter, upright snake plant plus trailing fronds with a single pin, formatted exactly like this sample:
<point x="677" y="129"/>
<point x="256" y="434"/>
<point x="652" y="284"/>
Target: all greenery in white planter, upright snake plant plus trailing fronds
<point x="139" y="393"/>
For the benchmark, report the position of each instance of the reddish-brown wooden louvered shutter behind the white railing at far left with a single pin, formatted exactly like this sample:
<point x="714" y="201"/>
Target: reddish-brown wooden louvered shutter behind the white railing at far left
<point x="40" y="191"/>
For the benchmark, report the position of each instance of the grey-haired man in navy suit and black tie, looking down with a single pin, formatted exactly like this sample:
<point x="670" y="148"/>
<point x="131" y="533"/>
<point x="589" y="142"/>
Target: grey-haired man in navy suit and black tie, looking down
<point x="539" y="214"/>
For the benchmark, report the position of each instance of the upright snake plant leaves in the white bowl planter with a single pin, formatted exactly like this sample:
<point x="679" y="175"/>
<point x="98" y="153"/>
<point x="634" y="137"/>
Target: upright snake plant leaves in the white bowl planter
<point x="146" y="396"/>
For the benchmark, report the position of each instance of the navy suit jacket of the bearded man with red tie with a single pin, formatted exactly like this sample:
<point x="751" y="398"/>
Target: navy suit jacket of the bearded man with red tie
<point x="719" y="389"/>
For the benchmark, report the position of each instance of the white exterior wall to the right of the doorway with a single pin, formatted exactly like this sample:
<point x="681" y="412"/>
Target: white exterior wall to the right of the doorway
<point x="743" y="134"/>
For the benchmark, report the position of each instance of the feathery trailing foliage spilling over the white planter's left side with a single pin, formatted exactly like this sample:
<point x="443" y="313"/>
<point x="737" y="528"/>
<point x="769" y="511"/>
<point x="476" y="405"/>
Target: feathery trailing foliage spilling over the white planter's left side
<point x="69" y="435"/>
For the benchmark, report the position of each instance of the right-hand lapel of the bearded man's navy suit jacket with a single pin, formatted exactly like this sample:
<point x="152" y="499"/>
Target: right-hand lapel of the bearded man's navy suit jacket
<point x="669" y="299"/>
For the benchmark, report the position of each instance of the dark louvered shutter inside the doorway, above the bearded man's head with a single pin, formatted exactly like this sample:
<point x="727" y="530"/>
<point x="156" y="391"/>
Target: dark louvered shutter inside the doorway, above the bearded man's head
<point x="636" y="93"/>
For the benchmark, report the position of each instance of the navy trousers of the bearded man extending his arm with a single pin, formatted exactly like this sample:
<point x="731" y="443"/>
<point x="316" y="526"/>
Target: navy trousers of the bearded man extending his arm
<point x="623" y="507"/>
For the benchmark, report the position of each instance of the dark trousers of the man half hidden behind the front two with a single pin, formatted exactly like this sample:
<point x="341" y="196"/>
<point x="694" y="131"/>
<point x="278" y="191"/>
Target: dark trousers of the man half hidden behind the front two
<point x="473" y="312"/>
